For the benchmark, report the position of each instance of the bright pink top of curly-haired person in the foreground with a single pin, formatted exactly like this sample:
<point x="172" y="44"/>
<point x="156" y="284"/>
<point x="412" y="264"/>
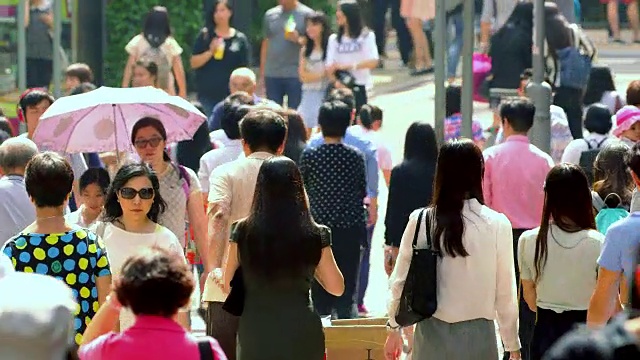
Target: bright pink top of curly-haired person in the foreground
<point x="150" y="338"/>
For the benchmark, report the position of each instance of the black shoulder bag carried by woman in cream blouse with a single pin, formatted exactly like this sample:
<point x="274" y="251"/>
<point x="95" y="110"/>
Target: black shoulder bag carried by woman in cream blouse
<point x="419" y="295"/>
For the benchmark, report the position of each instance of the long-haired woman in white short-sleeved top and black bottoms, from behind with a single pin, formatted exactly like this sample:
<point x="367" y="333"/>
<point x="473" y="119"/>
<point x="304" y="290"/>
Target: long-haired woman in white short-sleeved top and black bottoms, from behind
<point x="558" y="260"/>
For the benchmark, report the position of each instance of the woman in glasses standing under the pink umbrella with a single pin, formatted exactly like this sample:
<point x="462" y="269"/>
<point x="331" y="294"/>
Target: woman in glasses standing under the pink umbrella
<point x="179" y="186"/>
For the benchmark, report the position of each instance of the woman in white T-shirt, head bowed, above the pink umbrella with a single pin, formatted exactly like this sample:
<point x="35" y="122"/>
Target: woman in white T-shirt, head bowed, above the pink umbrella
<point x="156" y="44"/>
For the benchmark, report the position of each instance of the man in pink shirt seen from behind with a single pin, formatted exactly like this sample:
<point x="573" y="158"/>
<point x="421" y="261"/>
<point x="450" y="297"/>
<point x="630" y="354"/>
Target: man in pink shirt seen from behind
<point x="513" y="184"/>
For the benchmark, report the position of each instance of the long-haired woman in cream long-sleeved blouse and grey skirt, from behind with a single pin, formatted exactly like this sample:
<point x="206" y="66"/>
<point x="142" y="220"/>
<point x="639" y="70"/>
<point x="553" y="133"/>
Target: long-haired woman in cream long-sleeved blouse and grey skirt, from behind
<point x="476" y="274"/>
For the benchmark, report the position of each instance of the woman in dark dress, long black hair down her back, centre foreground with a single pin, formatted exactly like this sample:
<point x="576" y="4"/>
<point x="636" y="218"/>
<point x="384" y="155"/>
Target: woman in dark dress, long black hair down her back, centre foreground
<point x="281" y="250"/>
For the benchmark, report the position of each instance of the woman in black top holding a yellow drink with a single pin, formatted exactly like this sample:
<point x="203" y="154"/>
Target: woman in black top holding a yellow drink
<point x="219" y="49"/>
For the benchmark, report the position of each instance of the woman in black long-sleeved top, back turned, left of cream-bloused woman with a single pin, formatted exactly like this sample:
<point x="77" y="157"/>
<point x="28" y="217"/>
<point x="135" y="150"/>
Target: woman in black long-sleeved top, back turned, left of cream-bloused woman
<point x="410" y="186"/>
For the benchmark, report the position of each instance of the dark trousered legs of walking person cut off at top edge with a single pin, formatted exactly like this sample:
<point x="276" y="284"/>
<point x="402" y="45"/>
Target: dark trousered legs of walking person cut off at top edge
<point x="405" y="43"/>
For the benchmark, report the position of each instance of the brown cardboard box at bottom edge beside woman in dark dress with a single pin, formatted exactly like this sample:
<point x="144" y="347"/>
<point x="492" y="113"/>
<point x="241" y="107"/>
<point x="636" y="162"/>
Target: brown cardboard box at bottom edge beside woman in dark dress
<point x="357" y="339"/>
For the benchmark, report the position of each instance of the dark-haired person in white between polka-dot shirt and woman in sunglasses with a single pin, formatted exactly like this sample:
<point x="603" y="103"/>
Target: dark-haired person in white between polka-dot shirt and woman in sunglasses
<point x="93" y="185"/>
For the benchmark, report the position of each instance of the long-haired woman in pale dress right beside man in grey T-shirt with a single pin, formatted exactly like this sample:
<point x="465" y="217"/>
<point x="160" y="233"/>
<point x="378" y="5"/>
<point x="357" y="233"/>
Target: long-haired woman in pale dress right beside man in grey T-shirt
<point x="312" y="71"/>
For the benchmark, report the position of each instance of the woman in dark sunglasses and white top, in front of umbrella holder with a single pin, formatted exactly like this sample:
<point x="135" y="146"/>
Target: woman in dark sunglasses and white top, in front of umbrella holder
<point x="130" y="226"/>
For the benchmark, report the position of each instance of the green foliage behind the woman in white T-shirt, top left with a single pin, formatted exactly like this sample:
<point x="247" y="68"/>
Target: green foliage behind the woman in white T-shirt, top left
<point x="125" y="19"/>
